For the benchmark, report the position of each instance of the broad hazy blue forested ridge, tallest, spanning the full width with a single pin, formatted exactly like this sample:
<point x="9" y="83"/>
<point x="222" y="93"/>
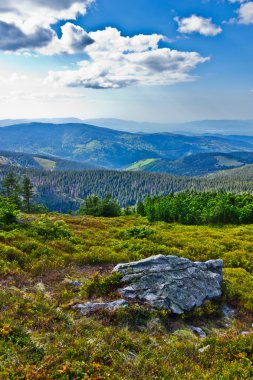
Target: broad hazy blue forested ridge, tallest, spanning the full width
<point x="110" y="148"/>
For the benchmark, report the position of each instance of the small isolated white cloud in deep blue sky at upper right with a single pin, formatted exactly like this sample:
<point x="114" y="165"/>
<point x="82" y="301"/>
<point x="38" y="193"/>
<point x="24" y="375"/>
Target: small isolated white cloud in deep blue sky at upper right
<point x="197" y="24"/>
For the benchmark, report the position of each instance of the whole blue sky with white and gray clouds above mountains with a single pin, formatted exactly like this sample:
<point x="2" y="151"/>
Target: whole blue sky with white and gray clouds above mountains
<point x="144" y="60"/>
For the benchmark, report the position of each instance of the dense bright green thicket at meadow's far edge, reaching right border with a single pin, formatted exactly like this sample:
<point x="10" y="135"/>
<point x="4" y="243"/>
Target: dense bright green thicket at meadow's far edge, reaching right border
<point x="199" y="208"/>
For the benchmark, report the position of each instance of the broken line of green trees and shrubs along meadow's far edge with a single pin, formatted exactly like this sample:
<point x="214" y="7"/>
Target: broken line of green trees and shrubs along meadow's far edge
<point x="187" y="207"/>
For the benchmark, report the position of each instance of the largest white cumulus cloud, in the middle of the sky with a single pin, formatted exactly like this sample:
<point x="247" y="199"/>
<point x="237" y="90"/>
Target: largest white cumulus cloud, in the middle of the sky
<point x="116" y="61"/>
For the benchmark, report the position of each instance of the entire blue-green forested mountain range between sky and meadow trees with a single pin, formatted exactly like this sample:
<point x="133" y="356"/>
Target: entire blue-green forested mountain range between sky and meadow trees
<point x="67" y="162"/>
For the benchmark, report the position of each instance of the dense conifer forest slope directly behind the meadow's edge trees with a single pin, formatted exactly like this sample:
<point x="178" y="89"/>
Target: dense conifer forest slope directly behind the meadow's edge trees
<point x="63" y="190"/>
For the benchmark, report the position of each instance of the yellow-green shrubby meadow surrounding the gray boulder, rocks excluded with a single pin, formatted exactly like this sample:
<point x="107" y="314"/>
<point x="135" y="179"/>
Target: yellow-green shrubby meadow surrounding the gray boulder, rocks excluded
<point x="42" y="337"/>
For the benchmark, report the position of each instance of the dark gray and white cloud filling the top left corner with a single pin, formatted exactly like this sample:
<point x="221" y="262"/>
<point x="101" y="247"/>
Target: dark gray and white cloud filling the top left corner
<point x="27" y="24"/>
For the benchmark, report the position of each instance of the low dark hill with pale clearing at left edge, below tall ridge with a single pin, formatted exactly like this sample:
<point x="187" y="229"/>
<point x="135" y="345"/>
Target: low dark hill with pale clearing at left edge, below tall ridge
<point x="37" y="161"/>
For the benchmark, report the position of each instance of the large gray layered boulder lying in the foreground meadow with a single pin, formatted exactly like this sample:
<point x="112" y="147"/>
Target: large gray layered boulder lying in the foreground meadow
<point x="170" y="282"/>
